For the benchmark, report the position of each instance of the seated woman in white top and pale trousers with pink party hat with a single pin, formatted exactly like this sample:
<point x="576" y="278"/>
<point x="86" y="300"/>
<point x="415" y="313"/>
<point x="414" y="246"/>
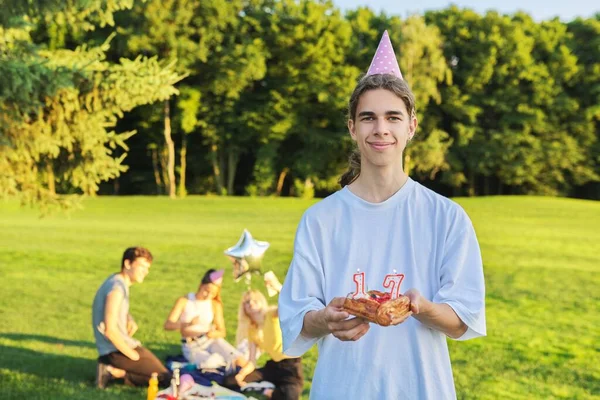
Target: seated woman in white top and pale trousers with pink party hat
<point x="199" y="318"/>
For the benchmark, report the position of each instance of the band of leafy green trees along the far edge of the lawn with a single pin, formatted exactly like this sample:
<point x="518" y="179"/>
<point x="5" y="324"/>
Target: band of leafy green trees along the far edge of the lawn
<point x="248" y="97"/>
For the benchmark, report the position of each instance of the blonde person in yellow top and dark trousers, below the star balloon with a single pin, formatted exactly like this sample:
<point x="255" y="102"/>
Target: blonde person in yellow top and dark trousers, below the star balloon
<point x="259" y="323"/>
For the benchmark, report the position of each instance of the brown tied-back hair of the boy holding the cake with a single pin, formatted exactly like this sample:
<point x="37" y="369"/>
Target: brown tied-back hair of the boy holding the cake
<point x="372" y="82"/>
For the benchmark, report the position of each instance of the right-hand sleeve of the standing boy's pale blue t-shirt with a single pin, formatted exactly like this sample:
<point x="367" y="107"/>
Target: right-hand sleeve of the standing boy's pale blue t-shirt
<point x="461" y="279"/>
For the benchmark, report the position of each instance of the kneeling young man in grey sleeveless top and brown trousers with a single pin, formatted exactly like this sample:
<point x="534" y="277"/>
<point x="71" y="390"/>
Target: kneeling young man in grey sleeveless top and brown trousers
<point x="120" y="355"/>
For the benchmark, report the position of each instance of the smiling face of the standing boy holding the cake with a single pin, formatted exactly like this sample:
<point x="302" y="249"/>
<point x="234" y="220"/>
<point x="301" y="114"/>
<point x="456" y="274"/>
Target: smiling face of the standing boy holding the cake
<point x="382" y="128"/>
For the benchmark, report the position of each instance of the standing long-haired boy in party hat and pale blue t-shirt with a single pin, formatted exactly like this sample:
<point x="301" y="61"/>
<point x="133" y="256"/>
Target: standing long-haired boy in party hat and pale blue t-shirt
<point x="379" y="222"/>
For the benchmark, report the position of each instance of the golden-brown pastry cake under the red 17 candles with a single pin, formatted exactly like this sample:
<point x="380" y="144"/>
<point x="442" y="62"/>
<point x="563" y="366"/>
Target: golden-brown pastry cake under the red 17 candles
<point x="379" y="307"/>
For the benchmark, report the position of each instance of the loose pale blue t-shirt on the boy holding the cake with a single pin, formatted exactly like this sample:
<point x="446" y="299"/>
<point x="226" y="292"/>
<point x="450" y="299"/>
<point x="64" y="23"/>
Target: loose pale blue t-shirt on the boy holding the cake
<point x="420" y="234"/>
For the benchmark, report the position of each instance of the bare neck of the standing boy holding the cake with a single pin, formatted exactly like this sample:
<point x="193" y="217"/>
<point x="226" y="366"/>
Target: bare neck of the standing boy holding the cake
<point x="376" y="185"/>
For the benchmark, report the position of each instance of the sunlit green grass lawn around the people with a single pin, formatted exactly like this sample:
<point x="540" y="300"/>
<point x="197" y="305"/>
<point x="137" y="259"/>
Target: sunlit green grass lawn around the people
<point x="541" y="260"/>
